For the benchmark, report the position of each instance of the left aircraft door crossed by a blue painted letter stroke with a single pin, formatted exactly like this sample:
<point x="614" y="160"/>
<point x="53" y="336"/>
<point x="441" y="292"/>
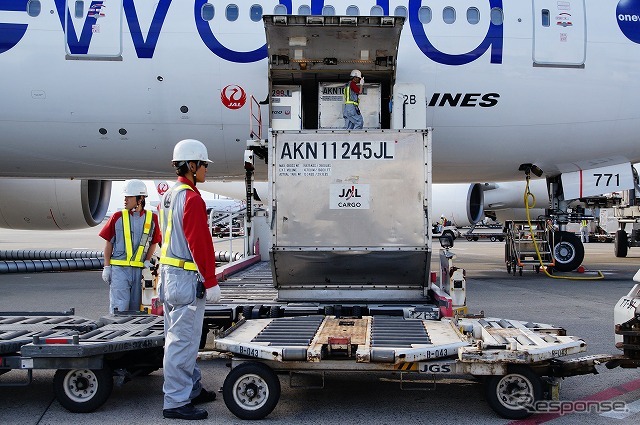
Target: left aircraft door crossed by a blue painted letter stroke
<point x="93" y="29"/>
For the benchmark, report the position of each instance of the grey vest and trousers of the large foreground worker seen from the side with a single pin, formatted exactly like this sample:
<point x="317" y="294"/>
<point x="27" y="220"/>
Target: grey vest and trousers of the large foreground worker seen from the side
<point x="183" y="312"/>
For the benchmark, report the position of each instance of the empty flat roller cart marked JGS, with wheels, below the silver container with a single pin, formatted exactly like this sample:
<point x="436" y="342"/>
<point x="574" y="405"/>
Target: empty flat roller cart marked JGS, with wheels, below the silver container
<point x="517" y="360"/>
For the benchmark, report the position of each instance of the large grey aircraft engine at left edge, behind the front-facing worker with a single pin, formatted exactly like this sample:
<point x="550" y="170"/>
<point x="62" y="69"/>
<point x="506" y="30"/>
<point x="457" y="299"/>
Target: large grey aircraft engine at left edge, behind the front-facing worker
<point x="53" y="204"/>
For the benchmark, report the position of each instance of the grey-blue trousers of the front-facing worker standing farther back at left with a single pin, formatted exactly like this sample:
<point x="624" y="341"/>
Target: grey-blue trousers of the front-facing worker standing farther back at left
<point x="125" y="290"/>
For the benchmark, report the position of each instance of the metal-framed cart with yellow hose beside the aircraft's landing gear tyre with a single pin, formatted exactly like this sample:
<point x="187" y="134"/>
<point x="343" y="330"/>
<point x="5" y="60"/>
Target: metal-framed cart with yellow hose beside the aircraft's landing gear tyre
<point x="519" y="249"/>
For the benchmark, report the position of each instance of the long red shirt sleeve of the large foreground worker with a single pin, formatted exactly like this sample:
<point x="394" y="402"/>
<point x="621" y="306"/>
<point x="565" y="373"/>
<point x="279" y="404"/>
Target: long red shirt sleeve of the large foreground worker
<point x="196" y="232"/>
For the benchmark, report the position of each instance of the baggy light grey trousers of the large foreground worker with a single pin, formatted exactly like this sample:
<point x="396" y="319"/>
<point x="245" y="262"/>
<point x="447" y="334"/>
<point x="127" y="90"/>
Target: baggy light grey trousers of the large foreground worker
<point x="183" y="316"/>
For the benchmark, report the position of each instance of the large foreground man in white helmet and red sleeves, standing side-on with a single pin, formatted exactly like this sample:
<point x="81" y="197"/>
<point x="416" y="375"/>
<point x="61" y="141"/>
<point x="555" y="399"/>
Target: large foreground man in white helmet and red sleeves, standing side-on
<point x="187" y="273"/>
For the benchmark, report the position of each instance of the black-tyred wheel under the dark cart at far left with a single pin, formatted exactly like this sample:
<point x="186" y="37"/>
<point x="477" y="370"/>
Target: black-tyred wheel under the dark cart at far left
<point x="82" y="390"/>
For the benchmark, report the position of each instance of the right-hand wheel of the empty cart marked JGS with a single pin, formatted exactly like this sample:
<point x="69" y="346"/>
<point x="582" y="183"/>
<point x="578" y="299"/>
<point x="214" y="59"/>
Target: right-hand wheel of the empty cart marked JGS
<point x="512" y="395"/>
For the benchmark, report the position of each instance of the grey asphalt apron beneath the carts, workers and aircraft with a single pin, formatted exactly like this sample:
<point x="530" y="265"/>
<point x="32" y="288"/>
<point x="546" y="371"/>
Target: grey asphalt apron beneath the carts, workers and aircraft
<point x="583" y="307"/>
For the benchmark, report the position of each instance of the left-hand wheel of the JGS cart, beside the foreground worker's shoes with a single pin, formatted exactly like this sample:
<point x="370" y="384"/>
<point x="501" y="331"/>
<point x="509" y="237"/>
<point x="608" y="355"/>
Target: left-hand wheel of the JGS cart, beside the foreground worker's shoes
<point x="251" y="390"/>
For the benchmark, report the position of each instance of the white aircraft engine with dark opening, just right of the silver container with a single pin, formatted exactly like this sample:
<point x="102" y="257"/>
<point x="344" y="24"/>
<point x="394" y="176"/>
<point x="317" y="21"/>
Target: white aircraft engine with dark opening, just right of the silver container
<point x="462" y="204"/>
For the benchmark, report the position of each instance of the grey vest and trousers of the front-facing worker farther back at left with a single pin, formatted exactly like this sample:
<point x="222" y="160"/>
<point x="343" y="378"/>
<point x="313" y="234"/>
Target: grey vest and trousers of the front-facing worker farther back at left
<point x="125" y="290"/>
